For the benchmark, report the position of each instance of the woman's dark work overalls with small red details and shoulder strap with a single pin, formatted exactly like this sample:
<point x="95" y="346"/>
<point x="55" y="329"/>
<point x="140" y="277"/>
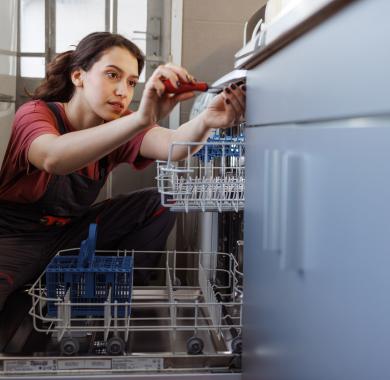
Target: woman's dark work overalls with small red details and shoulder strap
<point x="132" y="221"/>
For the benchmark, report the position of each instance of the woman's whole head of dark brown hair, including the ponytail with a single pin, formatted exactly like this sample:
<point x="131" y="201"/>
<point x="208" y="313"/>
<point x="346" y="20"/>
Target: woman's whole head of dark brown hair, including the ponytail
<point x="58" y="86"/>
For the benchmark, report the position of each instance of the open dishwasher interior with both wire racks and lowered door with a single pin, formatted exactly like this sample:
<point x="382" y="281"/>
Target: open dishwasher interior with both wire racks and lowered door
<point x="187" y="320"/>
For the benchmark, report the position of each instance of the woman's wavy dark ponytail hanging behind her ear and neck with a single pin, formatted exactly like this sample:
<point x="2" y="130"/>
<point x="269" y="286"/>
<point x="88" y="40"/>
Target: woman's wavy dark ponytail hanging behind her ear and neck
<point x="57" y="85"/>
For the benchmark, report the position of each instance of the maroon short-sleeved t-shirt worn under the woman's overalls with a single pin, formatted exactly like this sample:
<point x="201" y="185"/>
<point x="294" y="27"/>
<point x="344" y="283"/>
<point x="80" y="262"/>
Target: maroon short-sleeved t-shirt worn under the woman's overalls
<point x="21" y="182"/>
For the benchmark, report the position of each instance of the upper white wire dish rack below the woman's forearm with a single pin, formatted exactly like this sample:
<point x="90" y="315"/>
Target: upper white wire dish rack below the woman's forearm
<point x="212" y="179"/>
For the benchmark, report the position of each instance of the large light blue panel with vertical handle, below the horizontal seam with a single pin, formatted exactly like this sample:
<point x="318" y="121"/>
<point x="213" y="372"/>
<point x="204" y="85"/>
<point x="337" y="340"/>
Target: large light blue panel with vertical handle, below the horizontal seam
<point x="317" y="251"/>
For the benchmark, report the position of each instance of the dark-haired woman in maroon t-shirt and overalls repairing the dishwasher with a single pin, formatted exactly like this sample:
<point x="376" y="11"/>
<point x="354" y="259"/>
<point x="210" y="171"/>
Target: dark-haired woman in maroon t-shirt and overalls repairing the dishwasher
<point x="66" y="141"/>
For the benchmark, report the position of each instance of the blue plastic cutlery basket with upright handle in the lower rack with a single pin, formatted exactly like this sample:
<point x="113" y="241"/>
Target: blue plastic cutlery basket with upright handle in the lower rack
<point x="89" y="279"/>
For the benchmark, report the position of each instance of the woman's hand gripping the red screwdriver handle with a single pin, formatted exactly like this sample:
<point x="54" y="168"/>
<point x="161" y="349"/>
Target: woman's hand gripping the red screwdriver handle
<point x="155" y="102"/>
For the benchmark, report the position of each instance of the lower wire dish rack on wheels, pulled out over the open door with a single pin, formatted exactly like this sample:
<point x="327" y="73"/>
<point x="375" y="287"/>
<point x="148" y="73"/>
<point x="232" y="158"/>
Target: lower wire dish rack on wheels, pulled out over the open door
<point x="194" y="306"/>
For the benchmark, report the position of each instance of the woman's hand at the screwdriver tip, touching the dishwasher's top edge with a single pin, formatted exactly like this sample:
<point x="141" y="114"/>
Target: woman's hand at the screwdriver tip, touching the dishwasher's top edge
<point x="227" y="108"/>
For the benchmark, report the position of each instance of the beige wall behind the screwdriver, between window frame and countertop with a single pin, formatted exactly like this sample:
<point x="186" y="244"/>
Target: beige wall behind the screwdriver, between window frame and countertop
<point x="212" y="34"/>
